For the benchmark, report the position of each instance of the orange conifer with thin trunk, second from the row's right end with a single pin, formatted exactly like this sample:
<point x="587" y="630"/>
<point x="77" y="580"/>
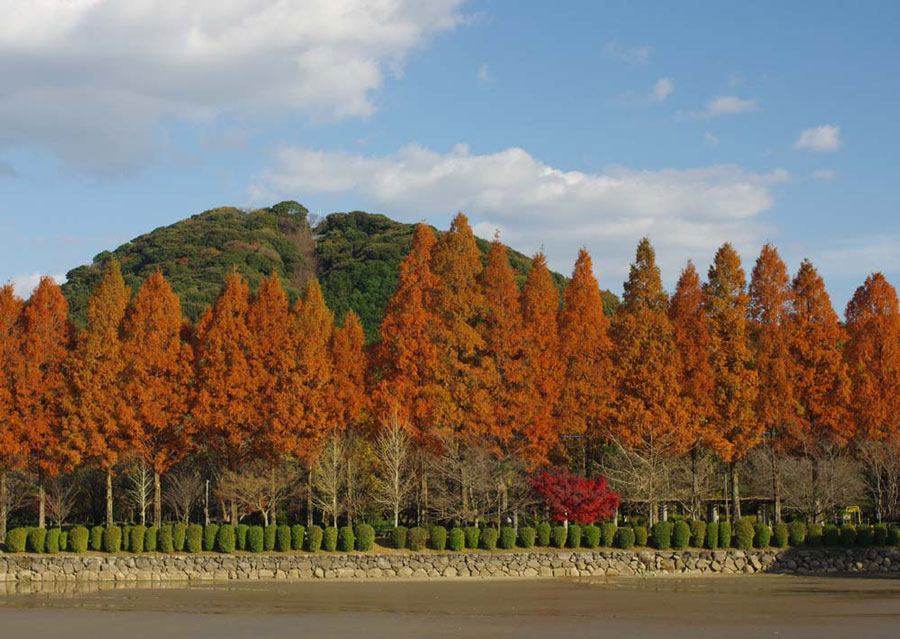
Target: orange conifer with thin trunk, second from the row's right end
<point x="821" y="387"/>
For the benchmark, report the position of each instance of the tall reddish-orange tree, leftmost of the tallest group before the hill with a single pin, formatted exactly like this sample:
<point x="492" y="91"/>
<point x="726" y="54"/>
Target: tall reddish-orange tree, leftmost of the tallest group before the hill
<point x="406" y="355"/>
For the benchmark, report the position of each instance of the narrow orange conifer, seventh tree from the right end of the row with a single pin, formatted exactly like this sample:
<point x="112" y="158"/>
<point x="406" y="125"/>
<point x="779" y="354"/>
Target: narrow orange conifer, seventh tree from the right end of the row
<point x="585" y="348"/>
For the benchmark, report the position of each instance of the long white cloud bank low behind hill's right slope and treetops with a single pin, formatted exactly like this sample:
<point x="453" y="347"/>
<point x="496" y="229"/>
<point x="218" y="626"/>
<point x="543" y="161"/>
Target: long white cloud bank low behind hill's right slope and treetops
<point x="686" y="212"/>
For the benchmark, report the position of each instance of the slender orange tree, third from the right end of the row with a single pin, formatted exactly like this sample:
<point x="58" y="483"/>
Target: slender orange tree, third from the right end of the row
<point x="769" y="308"/>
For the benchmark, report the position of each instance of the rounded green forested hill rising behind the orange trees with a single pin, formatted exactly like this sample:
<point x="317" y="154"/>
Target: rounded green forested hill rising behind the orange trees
<point x="355" y="256"/>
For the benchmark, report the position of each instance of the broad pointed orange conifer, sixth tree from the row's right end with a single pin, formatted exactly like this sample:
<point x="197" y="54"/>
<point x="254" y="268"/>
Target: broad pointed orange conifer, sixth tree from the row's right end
<point x="648" y="417"/>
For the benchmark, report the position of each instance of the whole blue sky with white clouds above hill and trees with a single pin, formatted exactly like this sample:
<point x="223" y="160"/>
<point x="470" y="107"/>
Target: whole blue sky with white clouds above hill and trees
<point x="562" y="124"/>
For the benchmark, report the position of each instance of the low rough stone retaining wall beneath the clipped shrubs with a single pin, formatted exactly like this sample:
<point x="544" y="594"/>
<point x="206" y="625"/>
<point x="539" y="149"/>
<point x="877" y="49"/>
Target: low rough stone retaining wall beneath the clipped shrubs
<point x="165" y="568"/>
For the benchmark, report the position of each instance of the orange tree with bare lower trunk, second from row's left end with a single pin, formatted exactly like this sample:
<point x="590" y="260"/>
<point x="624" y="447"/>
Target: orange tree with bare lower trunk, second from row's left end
<point x="41" y="389"/>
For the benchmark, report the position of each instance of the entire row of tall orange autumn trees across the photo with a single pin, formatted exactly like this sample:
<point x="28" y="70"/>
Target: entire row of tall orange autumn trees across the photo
<point x="466" y="358"/>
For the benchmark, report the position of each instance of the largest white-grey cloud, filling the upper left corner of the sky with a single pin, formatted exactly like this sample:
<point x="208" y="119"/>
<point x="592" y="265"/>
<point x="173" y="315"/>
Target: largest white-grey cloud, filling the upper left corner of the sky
<point x="92" y="80"/>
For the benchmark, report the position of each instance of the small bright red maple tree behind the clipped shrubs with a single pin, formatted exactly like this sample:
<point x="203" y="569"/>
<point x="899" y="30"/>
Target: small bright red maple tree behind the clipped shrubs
<point x="570" y="497"/>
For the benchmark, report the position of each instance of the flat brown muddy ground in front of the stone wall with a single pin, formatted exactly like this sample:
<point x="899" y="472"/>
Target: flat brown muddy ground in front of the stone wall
<point x="698" y="608"/>
